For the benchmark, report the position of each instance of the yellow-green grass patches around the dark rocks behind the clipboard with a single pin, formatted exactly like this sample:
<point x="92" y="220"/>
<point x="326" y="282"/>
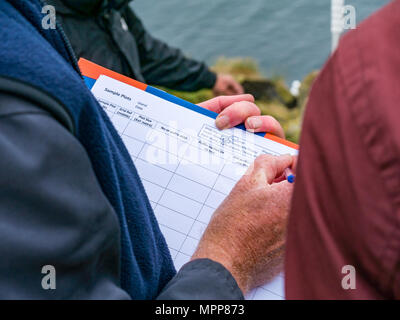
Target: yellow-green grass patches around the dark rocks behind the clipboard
<point x="246" y="69"/>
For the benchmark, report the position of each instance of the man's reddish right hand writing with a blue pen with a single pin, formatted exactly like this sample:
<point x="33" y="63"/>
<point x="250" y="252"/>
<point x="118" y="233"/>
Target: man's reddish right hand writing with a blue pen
<point x="247" y="232"/>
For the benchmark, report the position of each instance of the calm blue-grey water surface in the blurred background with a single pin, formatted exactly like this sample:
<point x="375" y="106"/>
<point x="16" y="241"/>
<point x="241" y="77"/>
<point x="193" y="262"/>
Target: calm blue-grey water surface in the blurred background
<point x="288" y="38"/>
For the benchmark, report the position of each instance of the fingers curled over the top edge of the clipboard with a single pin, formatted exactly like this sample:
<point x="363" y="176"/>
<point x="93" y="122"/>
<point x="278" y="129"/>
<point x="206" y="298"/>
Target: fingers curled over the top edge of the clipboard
<point x="234" y="110"/>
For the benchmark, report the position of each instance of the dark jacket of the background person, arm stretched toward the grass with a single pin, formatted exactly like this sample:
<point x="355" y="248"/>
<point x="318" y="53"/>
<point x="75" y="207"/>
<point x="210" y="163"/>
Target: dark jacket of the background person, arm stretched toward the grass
<point x="110" y="34"/>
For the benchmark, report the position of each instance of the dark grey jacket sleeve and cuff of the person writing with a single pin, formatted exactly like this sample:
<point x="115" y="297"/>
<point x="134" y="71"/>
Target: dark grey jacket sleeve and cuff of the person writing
<point x="52" y="208"/>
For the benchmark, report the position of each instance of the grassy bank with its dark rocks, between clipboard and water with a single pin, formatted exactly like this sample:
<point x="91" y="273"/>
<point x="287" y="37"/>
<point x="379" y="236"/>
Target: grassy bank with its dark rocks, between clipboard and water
<point x="276" y="100"/>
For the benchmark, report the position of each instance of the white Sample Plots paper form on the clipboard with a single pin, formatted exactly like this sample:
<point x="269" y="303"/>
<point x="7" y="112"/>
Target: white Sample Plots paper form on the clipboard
<point x="186" y="164"/>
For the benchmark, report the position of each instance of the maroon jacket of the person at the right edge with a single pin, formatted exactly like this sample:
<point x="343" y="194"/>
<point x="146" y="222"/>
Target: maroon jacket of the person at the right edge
<point x="346" y="204"/>
